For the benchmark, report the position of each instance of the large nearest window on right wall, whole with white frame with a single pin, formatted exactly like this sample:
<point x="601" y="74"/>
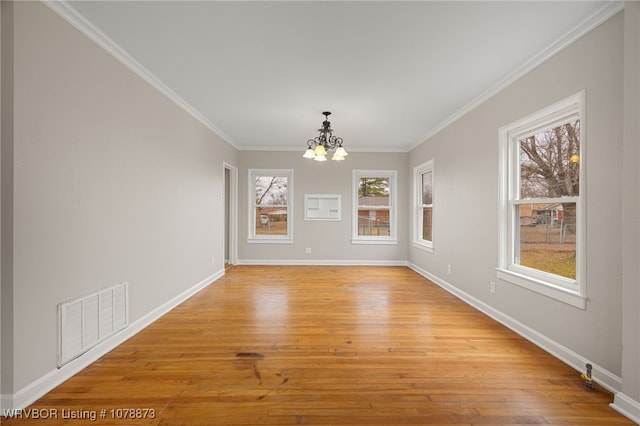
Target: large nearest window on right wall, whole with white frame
<point x="541" y="244"/>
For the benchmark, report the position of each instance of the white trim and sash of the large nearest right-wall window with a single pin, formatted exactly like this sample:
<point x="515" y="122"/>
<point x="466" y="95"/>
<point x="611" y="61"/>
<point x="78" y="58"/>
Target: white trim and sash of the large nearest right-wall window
<point x="572" y="292"/>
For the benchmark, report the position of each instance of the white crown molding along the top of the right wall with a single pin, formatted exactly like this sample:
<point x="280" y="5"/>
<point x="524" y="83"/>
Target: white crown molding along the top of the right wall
<point x="605" y="12"/>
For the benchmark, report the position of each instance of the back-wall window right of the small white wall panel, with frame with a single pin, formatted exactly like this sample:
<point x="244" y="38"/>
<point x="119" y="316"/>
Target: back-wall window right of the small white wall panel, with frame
<point x="374" y="212"/>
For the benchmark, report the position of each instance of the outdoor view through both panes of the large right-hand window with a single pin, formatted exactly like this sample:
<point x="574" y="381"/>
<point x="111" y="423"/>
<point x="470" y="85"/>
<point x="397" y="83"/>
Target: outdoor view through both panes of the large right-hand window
<point x="549" y="169"/>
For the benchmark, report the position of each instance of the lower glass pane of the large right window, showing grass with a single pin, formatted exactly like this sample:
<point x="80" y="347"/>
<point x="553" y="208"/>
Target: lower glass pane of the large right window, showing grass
<point x="547" y="238"/>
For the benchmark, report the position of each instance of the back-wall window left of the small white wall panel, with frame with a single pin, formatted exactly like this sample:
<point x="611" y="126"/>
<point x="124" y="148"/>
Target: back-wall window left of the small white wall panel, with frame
<point x="271" y="206"/>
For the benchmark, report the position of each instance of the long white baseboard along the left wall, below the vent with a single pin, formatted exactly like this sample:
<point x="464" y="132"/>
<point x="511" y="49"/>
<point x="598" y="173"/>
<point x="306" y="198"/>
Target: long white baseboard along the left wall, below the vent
<point x="35" y="390"/>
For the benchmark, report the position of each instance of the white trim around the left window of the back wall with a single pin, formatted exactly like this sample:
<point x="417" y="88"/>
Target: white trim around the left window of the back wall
<point x="270" y="239"/>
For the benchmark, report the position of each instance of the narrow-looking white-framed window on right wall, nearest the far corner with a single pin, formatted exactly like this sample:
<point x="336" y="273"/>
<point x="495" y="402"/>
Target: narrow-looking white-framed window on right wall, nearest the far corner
<point x="423" y="213"/>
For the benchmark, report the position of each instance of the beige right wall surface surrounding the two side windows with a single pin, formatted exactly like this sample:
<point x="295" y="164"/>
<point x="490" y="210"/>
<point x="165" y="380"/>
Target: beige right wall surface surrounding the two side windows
<point x="466" y="197"/>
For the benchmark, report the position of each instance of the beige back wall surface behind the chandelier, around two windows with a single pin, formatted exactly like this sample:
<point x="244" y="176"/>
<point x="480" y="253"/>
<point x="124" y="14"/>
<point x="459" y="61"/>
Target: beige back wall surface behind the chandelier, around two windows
<point x="330" y="242"/>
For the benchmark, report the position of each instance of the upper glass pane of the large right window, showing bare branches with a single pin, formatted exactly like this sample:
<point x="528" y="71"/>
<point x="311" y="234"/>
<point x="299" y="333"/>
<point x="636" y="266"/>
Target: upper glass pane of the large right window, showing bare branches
<point x="550" y="162"/>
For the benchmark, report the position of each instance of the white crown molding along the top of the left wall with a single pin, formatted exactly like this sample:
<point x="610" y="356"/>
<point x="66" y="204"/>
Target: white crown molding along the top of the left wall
<point x="69" y="14"/>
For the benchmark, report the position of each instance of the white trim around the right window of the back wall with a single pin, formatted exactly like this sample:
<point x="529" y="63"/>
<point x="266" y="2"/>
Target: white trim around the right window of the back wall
<point x="393" y="213"/>
